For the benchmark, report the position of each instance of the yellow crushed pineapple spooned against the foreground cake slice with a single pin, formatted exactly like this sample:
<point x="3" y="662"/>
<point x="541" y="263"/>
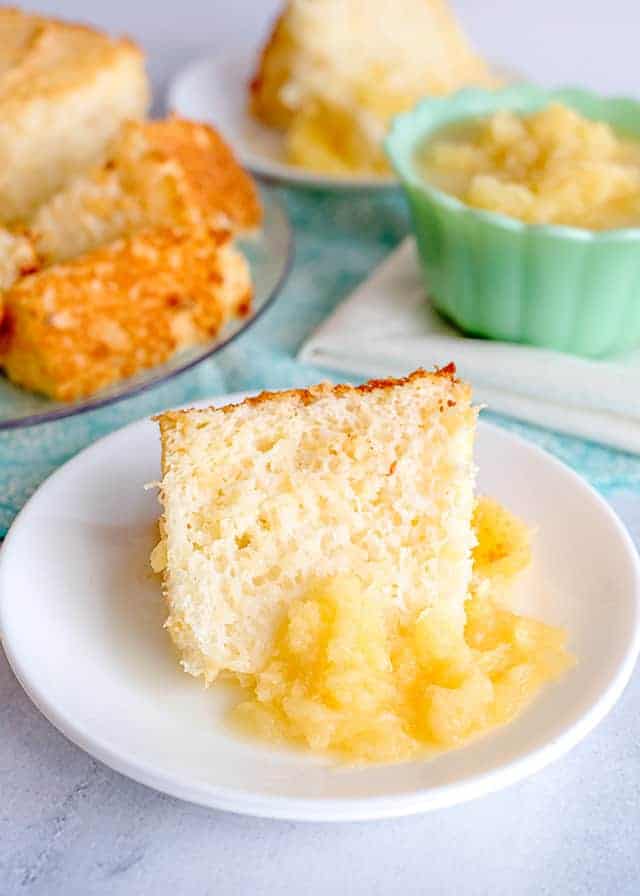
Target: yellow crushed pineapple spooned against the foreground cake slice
<point x="342" y="680"/>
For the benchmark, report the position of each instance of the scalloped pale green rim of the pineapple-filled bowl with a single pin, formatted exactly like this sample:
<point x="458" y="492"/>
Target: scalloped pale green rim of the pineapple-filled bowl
<point x="403" y="135"/>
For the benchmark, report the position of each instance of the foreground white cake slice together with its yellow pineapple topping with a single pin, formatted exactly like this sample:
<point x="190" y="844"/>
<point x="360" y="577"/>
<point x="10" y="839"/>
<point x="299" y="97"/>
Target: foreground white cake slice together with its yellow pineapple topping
<point x="325" y="547"/>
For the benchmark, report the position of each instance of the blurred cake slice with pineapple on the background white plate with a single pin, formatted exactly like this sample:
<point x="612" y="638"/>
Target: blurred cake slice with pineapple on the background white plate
<point x="334" y="72"/>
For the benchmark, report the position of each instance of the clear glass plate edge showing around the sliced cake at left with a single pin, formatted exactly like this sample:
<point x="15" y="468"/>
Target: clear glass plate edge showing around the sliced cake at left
<point x="269" y="253"/>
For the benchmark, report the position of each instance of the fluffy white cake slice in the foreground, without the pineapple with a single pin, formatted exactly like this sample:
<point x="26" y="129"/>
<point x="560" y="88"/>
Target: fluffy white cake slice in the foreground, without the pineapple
<point x="262" y="498"/>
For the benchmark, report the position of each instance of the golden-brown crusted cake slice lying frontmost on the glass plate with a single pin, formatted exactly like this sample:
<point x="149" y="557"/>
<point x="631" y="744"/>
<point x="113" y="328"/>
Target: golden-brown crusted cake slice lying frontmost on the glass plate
<point x="74" y="328"/>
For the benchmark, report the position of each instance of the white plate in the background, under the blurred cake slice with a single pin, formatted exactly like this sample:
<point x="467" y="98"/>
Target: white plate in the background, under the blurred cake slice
<point x="215" y="89"/>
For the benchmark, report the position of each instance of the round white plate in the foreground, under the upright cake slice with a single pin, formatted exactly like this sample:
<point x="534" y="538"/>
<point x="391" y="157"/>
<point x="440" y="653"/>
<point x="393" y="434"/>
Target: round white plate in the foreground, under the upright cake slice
<point x="81" y="618"/>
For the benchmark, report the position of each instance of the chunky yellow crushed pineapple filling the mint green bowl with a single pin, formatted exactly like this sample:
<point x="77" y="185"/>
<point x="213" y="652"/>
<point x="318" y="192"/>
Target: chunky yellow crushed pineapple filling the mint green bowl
<point x="552" y="167"/>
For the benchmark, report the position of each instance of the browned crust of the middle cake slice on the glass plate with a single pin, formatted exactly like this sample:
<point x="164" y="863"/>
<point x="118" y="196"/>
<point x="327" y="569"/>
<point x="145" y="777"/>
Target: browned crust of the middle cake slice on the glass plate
<point x="212" y="179"/>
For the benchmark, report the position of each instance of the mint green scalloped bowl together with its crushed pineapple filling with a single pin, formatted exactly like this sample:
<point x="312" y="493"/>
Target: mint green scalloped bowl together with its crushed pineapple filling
<point x="525" y="205"/>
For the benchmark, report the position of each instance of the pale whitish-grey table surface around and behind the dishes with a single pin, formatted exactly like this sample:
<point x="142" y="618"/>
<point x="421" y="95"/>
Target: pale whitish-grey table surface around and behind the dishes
<point x="69" y="825"/>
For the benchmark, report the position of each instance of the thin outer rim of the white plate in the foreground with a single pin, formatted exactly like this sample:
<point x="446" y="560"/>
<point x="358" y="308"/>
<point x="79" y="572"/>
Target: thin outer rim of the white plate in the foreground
<point x="351" y="809"/>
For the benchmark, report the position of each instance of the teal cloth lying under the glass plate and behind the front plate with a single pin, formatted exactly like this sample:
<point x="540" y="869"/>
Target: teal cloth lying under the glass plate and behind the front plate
<point x="340" y="238"/>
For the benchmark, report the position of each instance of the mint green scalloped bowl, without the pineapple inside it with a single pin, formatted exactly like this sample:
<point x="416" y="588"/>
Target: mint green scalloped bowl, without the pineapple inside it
<point x="564" y="288"/>
